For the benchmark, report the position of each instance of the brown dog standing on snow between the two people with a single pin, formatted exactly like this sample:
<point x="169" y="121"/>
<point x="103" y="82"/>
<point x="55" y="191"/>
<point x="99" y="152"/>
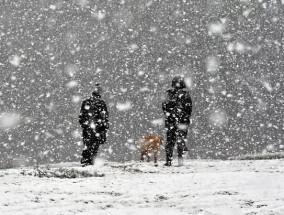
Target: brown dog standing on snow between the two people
<point x="150" y="144"/>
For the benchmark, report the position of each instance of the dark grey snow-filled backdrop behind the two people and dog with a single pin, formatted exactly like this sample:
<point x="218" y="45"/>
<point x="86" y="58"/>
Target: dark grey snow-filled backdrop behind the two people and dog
<point x="52" y="53"/>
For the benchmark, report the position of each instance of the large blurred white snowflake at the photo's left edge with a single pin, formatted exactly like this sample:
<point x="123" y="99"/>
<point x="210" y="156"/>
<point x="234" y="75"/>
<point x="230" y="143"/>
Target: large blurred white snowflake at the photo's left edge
<point x="9" y="120"/>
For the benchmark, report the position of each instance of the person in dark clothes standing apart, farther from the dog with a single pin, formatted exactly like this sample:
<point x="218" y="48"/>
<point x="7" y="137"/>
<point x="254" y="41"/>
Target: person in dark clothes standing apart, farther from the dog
<point x="94" y="121"/>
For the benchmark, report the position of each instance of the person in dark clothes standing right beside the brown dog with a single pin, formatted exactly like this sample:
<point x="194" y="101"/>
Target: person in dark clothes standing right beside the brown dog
<point x="177" y="109"/>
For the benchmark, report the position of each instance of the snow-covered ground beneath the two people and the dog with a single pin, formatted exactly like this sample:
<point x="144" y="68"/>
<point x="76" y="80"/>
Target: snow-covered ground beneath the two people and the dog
<point x="200" y="187"/>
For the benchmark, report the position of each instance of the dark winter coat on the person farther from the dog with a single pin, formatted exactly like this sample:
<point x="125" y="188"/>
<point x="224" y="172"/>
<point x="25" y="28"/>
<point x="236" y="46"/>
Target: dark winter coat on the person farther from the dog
<point x="94" y="115"/>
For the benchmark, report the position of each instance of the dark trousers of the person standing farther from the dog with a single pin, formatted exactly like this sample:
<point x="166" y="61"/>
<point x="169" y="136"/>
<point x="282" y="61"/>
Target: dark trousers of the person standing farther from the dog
<point x="92" y="141"/>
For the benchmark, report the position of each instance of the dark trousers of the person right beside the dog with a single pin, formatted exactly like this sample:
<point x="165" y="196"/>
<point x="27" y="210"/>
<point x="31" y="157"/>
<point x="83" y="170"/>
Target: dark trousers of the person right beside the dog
<point x="175" y="135"/>
